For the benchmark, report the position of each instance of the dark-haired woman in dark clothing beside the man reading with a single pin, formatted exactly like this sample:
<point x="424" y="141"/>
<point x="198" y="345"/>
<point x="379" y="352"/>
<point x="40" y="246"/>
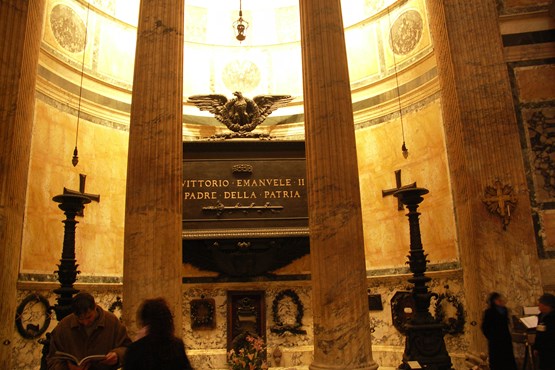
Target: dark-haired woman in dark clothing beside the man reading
<point x="159" y="348"/>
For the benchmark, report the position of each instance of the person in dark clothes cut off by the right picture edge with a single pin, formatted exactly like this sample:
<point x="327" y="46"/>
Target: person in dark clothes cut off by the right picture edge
<point x="544" y="347"/>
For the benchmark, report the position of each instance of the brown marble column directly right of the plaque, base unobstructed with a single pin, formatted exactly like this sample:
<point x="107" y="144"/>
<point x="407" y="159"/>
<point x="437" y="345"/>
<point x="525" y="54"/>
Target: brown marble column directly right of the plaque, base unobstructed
<point x="341" y="325"/>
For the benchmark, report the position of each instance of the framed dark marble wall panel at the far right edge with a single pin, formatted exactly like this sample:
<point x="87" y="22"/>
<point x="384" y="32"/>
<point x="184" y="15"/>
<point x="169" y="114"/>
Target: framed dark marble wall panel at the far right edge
<point x="534" y="98"/>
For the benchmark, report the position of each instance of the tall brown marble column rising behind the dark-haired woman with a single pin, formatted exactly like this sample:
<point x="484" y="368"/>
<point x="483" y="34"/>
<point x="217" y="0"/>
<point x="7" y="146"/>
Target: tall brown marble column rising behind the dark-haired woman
<point x="152" y="237"/>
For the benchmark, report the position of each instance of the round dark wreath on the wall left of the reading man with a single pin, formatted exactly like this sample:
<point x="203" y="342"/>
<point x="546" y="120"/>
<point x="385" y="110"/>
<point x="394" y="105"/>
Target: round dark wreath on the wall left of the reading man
<point x="34" y="311"/>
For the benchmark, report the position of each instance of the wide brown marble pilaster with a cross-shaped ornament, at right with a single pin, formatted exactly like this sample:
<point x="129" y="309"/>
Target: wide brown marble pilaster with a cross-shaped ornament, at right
<point x="483" y="144"/>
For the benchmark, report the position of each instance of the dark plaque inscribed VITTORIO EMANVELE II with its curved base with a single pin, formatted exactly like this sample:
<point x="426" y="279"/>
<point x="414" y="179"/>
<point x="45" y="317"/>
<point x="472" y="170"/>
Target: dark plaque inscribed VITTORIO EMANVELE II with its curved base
<point x="244" y="206"/>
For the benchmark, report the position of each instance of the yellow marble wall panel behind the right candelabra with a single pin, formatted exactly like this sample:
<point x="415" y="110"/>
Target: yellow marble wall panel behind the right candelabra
<point x="379" y="155"/>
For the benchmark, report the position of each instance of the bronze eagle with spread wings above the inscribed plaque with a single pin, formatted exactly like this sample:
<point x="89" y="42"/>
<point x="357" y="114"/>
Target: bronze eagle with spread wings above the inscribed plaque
<point x="240" y="114"/>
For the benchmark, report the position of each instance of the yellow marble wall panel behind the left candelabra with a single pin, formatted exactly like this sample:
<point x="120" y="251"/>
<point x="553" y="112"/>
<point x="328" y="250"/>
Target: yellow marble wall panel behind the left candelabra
<point x="103" y="158"/>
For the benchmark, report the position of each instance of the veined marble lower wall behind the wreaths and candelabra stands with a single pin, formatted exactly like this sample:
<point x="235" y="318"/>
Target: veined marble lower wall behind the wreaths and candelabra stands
<point x="207" y="348"/>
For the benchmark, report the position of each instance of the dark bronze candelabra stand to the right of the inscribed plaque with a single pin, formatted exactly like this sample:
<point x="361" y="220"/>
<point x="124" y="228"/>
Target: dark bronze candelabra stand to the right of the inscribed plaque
<point x="424" y="342"/>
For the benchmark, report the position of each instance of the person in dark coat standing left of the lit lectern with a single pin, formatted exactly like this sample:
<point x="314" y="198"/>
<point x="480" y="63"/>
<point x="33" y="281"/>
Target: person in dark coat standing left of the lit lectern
<point x="495" y="327"/>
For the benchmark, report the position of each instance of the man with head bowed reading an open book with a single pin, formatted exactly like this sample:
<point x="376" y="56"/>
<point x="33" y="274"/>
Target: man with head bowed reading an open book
<point x="88" y="331"/>
